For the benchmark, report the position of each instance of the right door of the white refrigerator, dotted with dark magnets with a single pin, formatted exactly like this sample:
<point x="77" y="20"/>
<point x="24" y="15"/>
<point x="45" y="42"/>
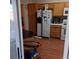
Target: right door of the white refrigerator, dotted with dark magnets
<point x="47" y="16"/>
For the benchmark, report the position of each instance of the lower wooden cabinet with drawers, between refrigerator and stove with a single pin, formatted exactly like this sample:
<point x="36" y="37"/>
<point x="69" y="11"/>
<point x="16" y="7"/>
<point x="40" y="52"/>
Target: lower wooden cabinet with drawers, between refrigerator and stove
<point x="55" y="31"/>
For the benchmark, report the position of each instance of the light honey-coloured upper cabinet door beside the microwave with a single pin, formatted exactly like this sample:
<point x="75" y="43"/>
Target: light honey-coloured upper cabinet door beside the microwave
<point x="58" y="9"/>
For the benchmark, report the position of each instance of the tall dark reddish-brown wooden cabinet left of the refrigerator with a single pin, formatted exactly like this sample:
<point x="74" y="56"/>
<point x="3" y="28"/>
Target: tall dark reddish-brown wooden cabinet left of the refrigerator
<point x="32" y="17"/>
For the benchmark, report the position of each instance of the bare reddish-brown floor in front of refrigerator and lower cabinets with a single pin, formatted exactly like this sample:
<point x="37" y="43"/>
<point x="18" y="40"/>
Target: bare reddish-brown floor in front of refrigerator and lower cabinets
<point x="51" y="49"/>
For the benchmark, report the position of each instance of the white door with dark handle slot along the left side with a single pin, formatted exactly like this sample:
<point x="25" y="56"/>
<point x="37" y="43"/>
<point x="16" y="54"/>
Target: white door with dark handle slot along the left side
<point x="16" y="41"/>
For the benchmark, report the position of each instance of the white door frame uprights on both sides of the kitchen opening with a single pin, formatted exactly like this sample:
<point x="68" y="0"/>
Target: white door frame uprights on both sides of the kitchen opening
<point x="66" y="44"/>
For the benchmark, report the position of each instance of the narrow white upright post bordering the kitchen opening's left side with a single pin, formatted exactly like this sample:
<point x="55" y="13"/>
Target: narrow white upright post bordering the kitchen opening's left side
<point x="20" y="28"/>
